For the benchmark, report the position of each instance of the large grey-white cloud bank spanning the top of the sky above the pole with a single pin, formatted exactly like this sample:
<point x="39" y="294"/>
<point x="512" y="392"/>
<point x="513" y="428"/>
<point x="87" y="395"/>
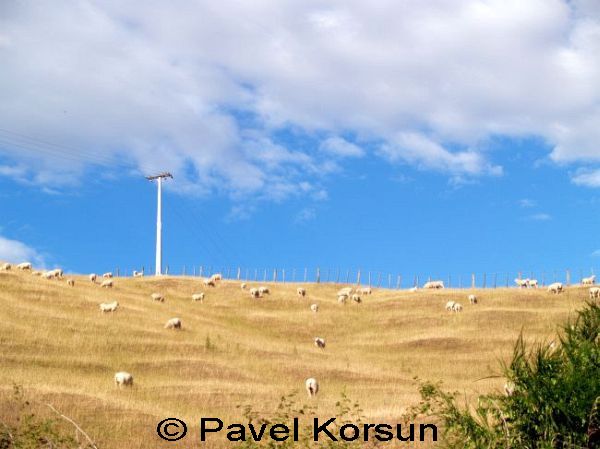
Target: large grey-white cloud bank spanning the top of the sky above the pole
<point x="201" y="90"/>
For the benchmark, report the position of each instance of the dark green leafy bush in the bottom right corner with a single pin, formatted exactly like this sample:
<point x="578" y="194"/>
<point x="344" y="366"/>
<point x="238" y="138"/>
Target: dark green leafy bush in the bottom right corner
<point x="552" y="405"/>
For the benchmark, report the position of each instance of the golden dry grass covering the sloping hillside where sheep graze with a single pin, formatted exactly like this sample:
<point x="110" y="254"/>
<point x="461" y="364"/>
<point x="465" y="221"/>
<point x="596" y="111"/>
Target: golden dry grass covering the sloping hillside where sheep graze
<point x="235" y="350"/>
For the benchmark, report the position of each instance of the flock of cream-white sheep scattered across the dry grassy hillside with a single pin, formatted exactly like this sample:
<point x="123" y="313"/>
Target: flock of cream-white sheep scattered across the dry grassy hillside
<point x="125" y="379"/>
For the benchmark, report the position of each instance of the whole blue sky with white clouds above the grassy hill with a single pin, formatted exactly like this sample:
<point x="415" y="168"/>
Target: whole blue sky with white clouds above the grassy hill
<point x="405" y="139"/>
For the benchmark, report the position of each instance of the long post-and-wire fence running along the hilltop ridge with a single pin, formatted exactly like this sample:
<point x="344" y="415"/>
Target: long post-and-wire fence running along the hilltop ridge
<point x="377" y="279"/>
